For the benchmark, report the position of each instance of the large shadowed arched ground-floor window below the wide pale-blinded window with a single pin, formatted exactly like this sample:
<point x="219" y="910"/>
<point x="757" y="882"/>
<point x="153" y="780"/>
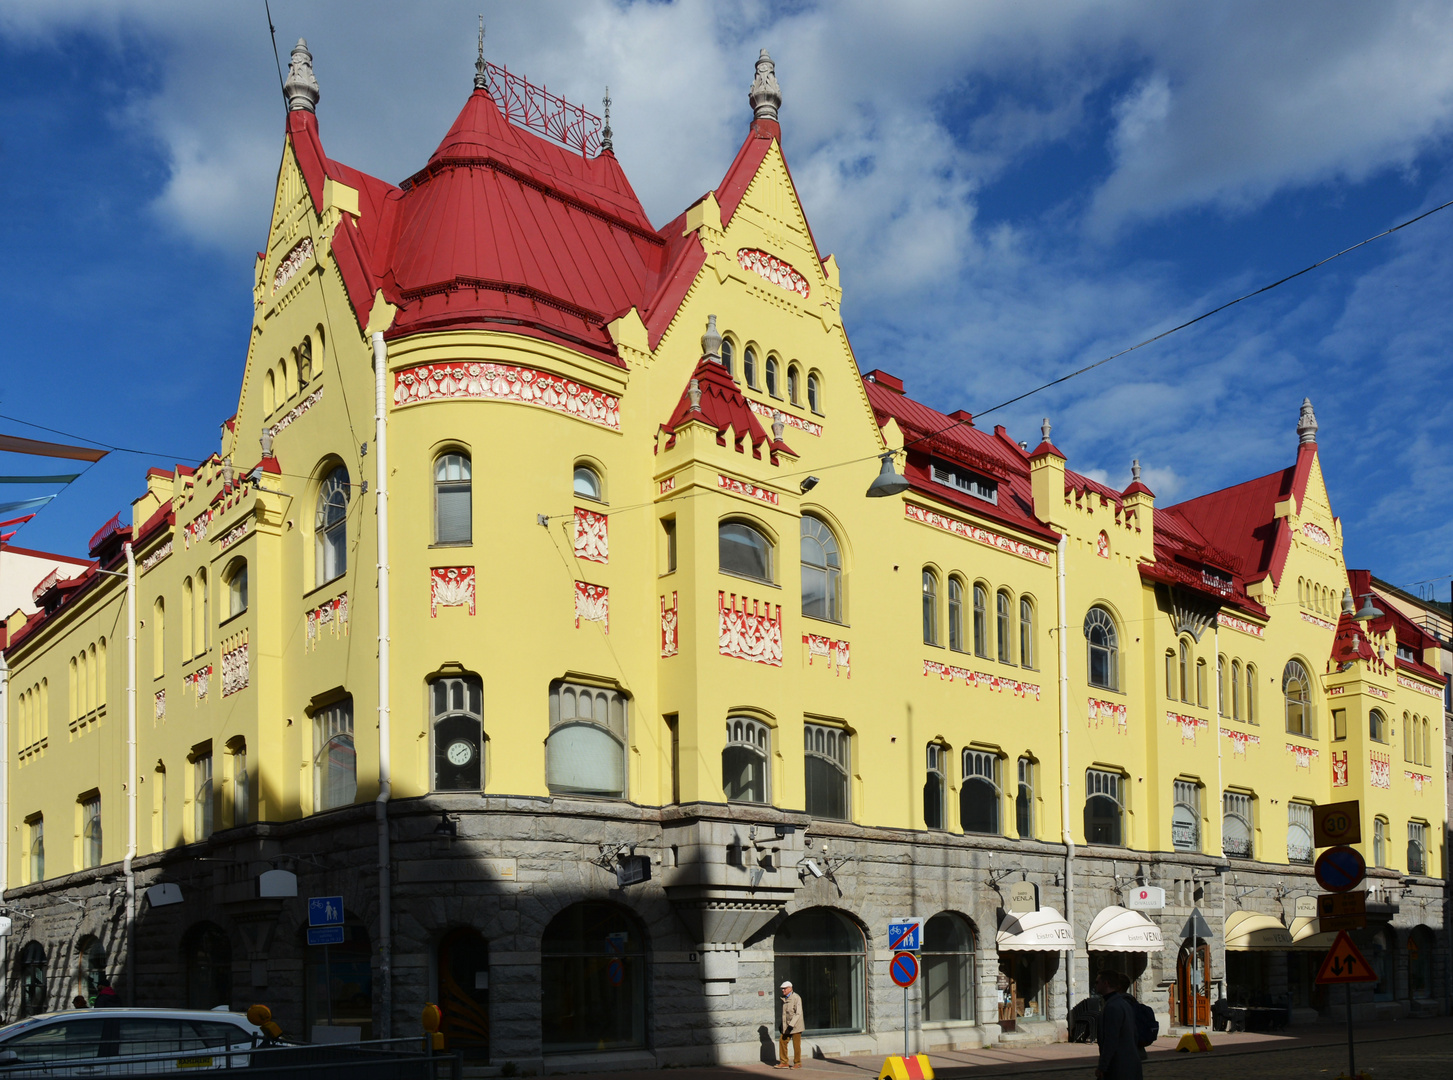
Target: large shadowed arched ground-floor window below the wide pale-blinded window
<point x="594" y="980"/>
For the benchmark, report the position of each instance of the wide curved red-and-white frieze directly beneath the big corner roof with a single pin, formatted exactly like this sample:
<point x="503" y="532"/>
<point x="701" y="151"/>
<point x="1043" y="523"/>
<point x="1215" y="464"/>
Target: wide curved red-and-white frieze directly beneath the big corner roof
<point x="506" y="383"/>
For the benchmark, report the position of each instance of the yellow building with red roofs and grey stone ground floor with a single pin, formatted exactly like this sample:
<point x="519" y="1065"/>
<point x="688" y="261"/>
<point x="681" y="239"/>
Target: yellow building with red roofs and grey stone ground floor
<point x="673" y="706"/>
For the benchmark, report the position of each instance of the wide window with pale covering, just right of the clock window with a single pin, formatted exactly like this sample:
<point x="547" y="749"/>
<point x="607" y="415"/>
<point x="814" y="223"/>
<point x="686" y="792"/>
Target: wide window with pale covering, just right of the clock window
<point x="586" y="751"/>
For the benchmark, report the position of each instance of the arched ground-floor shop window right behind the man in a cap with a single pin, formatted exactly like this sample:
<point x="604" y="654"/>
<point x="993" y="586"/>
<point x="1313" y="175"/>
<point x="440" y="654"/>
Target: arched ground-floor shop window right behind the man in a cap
<point x="823" y="954"/>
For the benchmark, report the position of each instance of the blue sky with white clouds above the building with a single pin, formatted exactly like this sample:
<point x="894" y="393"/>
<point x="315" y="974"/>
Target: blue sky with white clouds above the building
<point x="1012" y="193"/>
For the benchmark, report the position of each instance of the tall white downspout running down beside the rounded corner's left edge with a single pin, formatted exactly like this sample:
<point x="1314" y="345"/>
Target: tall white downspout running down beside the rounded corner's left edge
<point x="386" y="783"/>
